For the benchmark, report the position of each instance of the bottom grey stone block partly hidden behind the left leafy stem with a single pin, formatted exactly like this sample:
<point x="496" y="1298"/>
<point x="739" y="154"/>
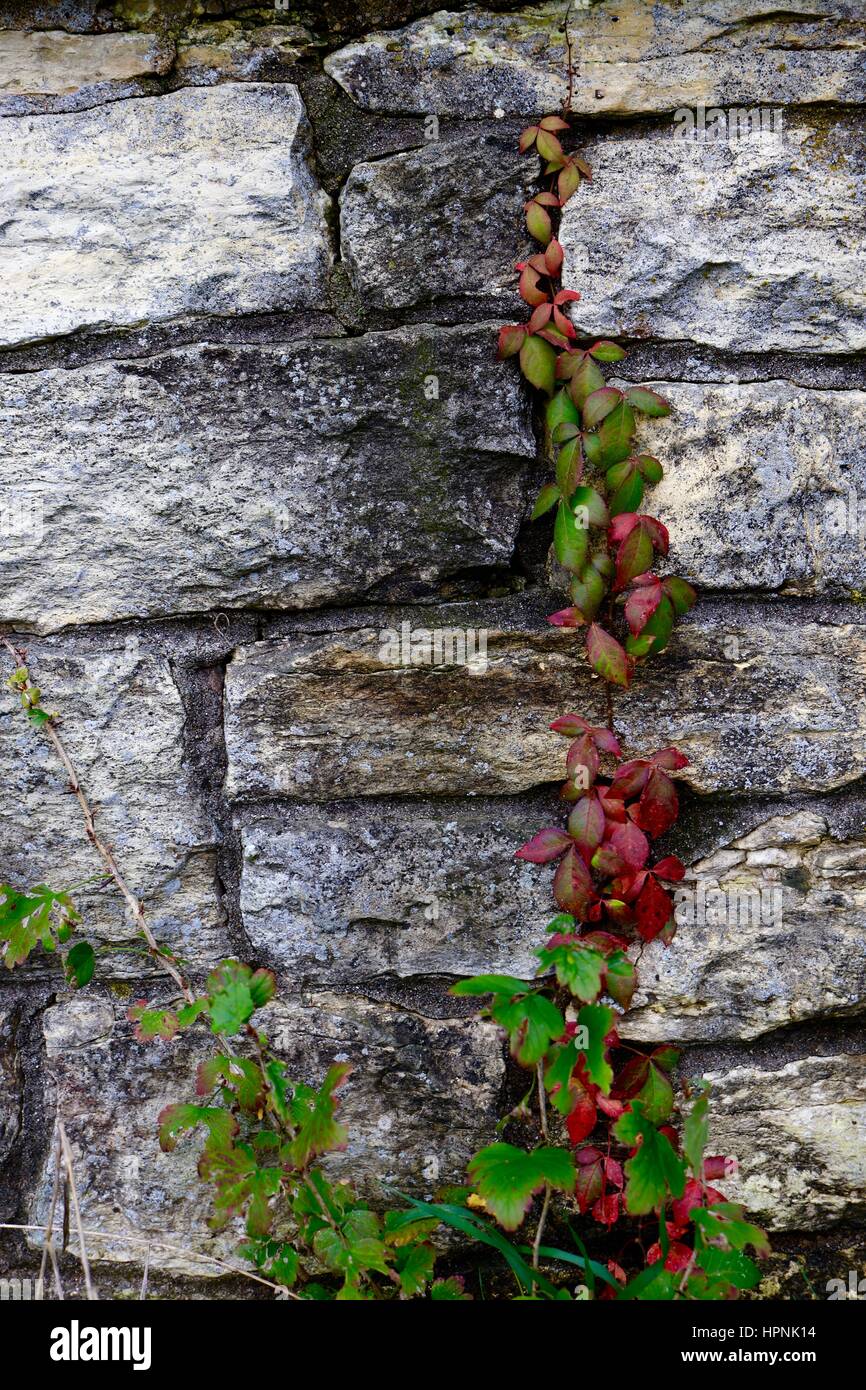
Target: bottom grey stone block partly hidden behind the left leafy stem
<point x="420" y="1099"/>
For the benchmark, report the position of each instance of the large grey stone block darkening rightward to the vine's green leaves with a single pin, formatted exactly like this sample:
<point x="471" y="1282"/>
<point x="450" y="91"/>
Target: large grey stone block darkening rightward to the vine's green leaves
<point x="272" y="477"/>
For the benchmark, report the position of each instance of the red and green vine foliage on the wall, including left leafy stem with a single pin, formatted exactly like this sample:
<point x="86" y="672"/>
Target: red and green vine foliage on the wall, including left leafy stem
<point x="605" y="1138"/>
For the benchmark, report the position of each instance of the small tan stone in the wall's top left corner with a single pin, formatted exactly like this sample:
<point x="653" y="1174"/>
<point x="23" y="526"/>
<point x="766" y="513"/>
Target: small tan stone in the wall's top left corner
<point x="59" y="63"/>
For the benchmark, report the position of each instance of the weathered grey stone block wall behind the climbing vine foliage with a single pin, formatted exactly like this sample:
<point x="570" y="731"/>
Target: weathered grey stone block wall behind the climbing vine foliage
<point x="251" y="420"/>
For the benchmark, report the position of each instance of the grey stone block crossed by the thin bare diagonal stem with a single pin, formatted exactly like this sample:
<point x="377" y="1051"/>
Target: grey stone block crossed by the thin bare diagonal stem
<point x="123" y="726"/>
